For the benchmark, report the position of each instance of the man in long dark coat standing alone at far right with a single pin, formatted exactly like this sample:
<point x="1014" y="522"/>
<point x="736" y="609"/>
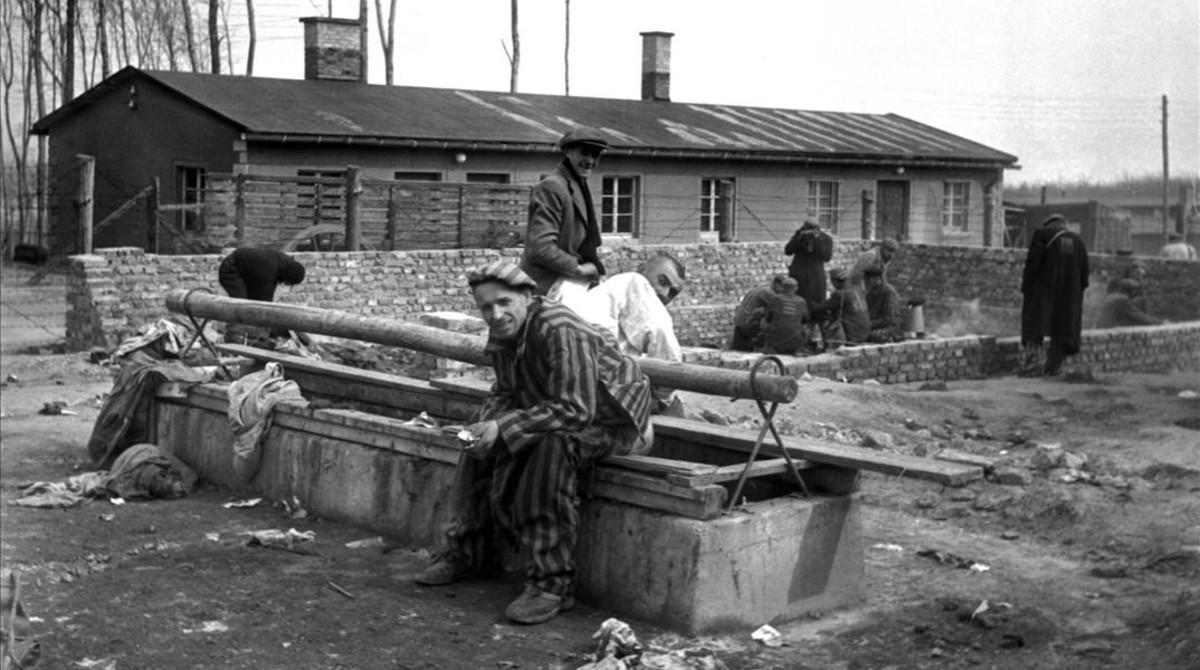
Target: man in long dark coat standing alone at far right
<point x="1053" y="295"/>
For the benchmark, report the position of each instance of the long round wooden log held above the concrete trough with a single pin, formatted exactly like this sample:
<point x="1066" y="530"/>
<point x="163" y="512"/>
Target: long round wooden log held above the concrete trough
<point x="458" y="346"/>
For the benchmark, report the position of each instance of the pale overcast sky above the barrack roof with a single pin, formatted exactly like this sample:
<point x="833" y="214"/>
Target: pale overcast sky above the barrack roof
<point x="1073" y="88"/>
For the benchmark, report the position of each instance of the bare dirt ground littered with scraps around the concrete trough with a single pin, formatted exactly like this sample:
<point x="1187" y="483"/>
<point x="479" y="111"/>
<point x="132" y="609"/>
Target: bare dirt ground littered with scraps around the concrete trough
<point x="1103" y="572"/>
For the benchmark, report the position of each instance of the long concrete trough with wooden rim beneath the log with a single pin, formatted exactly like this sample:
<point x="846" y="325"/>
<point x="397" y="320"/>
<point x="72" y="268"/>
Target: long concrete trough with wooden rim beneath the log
<point x="655" y="542"/>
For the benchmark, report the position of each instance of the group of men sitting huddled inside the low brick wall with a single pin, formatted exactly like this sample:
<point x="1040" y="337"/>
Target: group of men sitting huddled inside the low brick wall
<point x="776" y="320"/>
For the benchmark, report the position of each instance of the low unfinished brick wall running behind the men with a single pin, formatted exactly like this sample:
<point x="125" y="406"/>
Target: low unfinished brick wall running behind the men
<point x="116" y="291"/>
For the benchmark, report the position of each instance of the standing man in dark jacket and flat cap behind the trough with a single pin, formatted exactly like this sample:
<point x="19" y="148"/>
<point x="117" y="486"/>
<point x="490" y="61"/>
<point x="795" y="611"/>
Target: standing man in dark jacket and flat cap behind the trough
<point x="563" y="236"/>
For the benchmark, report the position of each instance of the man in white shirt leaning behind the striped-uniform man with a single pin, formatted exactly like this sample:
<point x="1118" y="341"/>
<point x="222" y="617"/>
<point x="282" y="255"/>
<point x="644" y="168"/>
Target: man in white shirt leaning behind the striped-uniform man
<point x="632" y="308"/>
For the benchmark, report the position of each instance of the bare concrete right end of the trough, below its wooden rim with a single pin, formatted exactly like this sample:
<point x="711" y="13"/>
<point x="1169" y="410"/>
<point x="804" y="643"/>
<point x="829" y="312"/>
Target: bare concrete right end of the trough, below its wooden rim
<point x="772" y="561"/>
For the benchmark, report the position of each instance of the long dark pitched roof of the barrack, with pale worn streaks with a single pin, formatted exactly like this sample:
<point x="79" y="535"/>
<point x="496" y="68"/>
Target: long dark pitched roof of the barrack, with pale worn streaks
<point x="266" y="107"/>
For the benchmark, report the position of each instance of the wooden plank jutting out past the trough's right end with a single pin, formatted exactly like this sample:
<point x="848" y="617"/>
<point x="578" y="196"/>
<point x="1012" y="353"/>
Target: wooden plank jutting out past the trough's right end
<point x="943" y="472"/>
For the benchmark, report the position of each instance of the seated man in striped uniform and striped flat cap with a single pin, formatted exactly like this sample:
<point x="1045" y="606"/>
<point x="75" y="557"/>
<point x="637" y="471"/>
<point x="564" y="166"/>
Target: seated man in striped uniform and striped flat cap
<point x="563" y="398"/>
